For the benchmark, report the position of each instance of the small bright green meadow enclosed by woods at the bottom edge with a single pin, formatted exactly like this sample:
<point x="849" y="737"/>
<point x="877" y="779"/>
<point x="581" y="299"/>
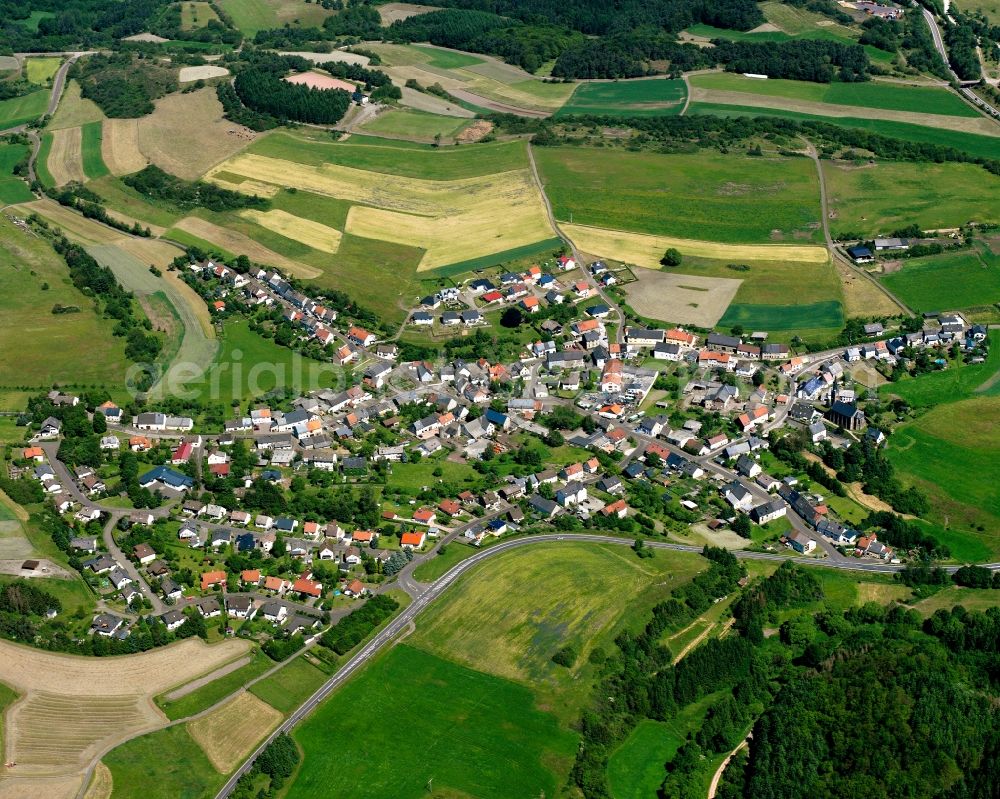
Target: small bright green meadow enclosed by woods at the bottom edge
<point x="636" y="769"/>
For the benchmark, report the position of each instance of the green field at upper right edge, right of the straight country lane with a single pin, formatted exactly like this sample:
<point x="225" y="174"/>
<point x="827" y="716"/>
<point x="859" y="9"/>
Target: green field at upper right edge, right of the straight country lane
<point x="879" y="198"/>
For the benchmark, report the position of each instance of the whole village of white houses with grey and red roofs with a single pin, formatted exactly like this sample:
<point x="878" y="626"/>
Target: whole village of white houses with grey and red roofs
<point x="657" y="430"/>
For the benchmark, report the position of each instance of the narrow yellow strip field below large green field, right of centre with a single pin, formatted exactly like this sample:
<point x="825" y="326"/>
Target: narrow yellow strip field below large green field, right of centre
<point x="645" y="250"/>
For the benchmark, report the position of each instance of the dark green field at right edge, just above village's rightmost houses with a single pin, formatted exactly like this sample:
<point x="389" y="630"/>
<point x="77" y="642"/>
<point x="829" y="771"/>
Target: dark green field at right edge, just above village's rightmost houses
<point x="950" y="281"/>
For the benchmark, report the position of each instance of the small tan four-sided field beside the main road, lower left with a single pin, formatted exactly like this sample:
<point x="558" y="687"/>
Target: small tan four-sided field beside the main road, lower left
<point x="230" y="733"/>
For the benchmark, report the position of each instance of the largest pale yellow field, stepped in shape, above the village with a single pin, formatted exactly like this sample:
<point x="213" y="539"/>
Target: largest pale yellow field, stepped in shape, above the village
<point x="453" y="220"/>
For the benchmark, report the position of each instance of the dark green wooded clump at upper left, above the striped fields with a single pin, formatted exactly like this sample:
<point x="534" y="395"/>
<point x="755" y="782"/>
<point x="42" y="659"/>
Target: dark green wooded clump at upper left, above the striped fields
<point x="122" y="84"/>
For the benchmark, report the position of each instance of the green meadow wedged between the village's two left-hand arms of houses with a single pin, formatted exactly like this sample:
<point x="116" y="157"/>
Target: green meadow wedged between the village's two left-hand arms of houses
<point x="249" y="365"/>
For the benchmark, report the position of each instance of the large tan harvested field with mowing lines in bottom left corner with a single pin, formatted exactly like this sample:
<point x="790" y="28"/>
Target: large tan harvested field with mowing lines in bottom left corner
<point x="74" y="708"/>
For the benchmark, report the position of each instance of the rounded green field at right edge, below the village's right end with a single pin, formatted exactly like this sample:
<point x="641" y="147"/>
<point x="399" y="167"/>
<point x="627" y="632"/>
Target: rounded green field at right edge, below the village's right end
<point x="950" y="453"/>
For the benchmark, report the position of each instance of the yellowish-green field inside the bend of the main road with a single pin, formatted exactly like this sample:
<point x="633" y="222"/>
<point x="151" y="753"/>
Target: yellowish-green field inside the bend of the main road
<point x="537" y="602"/>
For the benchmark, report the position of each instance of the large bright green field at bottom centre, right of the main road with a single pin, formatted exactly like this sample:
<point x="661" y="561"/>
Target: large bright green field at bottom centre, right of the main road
<point x="470" y="733"/>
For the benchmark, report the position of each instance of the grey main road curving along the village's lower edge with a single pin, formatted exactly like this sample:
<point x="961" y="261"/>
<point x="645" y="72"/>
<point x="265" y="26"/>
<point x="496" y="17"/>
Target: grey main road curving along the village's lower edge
<point x="385" y="636"/>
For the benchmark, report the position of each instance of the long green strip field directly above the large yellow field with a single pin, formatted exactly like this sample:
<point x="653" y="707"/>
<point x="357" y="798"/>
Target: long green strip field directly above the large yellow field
<point x="385" y="156"/>
